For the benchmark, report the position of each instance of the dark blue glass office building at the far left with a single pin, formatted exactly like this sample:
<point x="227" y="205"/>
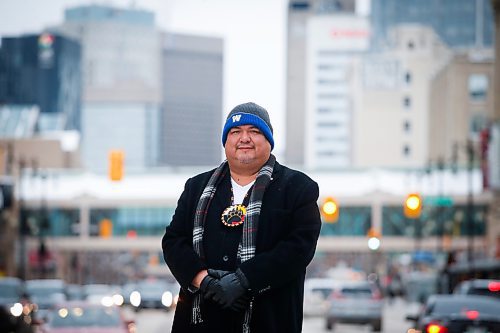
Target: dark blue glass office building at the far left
<point x="43" y="70"/>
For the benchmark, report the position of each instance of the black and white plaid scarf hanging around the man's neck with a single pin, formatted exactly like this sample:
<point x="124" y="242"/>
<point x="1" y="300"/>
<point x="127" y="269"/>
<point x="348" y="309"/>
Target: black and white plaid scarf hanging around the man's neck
<point x="246" y="248"/>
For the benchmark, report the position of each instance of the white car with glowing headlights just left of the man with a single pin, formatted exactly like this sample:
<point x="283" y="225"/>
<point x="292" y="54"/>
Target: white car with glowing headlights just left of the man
<point x="156" y="294"/>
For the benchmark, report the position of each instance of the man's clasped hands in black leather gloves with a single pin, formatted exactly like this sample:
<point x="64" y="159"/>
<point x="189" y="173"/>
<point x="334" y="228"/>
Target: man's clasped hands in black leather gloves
<point x="228" y="289"/>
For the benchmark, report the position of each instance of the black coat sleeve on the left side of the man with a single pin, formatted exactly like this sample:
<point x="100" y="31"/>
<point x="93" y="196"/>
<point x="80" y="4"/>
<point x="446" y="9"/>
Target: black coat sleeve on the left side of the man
<point x="177" y="242"/>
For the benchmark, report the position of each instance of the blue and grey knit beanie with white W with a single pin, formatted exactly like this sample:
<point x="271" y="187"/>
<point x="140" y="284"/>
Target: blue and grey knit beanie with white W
<point x="249" y="114"/>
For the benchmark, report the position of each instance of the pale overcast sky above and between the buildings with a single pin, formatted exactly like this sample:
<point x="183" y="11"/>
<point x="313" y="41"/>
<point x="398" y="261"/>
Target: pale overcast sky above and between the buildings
<point x="253" y="30"/>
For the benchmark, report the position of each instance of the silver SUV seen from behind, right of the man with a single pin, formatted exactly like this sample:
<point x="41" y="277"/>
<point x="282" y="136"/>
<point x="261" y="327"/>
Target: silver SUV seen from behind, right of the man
<point x="358" y="302"/>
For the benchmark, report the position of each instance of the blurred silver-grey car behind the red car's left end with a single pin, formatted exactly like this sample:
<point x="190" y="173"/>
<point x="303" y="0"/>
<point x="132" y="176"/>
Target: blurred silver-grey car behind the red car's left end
<point x="44" y="293"/>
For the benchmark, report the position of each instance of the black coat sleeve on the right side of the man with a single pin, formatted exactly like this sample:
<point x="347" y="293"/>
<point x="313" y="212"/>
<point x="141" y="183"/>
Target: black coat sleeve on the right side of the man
<point x="291" y="255"/>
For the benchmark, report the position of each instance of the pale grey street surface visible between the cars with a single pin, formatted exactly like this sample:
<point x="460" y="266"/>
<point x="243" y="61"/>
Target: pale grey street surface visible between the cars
<point x="156" y="321"/>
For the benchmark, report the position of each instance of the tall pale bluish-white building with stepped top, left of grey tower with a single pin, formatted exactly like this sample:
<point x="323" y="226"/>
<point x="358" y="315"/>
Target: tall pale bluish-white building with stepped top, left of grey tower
<point x="121" y="51"/>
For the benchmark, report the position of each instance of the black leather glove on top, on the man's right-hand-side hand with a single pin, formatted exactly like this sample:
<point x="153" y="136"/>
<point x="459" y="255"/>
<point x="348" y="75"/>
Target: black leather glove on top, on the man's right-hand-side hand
<point x="229" y="290"/>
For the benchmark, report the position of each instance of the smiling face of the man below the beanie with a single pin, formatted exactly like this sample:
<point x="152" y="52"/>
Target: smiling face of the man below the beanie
<point x="247" y="146"/>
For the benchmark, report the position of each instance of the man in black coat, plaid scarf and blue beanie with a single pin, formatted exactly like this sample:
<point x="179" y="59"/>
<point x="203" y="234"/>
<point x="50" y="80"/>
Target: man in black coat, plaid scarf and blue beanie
<point x="242" y="236"/>
